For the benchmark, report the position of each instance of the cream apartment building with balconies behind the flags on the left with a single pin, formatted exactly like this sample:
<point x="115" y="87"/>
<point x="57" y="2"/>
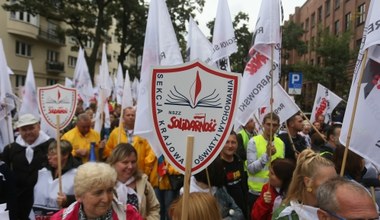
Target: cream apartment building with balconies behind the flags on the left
<point x="53" y="55"/>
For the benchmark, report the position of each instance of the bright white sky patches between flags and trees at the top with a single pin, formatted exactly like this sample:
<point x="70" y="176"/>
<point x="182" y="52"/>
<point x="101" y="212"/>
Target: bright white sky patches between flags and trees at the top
<point x="251" y="7"/>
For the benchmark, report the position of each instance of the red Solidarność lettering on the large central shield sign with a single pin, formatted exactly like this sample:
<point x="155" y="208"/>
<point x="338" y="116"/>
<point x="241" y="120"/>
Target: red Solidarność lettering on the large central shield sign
<point x="197" y="124"/>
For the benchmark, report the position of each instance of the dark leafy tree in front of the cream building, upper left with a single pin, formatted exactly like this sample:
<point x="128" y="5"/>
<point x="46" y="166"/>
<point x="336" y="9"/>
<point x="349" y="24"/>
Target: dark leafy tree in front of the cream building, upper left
<point x="87" y="21"/>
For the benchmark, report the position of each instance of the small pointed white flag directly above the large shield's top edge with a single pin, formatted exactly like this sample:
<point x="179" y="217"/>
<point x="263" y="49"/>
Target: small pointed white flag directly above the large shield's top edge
<point x="198" y="46"/>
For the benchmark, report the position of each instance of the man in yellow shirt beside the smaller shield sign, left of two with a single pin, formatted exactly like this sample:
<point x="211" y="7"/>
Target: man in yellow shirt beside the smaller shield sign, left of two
<point x="81" y="138"/>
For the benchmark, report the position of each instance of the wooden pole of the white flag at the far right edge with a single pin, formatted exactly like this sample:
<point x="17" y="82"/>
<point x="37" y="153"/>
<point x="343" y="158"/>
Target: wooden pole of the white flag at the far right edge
<point x="348" y="139"/>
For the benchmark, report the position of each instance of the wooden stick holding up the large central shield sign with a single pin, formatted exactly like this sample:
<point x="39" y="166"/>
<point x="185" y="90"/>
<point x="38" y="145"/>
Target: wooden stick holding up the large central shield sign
<point x="186" y="183"/>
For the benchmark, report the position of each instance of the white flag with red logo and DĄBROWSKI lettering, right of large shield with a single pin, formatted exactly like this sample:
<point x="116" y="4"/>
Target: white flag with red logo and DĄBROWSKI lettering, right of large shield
<point x="256" y="82"/>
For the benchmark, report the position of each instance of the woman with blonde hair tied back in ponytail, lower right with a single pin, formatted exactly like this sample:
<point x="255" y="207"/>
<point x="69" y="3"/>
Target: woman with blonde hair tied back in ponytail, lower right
<point x="311" y="171"/>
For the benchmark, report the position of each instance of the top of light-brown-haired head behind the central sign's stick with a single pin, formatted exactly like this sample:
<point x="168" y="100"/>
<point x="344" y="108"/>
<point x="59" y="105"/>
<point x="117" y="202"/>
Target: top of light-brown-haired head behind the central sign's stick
<point x="200" y="206"/>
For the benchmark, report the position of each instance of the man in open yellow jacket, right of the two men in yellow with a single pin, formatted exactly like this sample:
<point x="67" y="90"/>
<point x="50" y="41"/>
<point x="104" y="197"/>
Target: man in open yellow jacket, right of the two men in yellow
<point x="124" y="134"/>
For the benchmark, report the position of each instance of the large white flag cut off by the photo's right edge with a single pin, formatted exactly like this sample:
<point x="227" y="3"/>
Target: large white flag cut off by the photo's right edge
<point x="365" y="136"/>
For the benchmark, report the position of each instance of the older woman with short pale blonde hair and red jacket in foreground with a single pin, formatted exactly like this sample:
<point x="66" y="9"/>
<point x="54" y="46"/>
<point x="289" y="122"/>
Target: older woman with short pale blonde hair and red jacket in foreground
<point x="93" y="188"/>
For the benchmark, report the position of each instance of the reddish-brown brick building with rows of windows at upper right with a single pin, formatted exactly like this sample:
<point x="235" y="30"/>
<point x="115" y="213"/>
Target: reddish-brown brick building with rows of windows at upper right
<point x="335" y="16"/>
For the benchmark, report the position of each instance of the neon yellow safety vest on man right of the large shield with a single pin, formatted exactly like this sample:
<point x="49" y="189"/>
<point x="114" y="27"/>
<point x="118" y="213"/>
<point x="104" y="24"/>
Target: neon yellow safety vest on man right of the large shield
<point x="256" y="181"/>
